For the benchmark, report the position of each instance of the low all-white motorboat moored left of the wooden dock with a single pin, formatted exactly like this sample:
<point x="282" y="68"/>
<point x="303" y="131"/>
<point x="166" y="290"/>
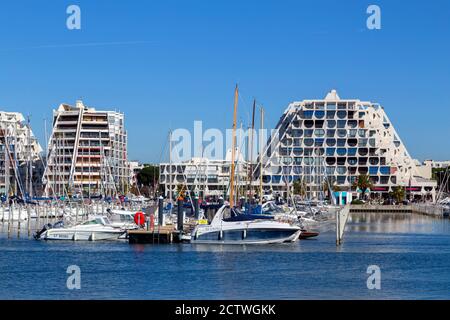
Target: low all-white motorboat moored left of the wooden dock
<point x="97" y="228"/>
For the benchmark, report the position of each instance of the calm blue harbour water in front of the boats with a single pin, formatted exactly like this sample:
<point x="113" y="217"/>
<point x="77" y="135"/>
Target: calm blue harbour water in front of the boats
<point x="413" y="253"/>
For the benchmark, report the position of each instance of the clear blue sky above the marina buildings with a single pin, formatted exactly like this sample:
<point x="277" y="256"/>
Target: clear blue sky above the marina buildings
<point x="168" y="63"/>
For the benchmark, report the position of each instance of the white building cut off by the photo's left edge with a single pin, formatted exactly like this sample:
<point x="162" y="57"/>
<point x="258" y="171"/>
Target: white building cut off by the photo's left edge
<point x="19" y="157"/>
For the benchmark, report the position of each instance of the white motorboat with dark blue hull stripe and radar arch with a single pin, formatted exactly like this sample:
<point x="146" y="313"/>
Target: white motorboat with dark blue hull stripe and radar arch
<point x="227" y="228"/>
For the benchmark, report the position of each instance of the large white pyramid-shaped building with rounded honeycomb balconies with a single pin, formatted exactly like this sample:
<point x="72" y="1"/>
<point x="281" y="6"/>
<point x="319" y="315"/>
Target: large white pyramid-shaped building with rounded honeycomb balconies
<point x="328" y="143"/>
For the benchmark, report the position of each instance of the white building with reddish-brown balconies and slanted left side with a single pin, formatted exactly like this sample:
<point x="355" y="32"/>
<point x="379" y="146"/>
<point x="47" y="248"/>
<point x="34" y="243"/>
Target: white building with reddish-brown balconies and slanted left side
<point x="87" y="153"/>
